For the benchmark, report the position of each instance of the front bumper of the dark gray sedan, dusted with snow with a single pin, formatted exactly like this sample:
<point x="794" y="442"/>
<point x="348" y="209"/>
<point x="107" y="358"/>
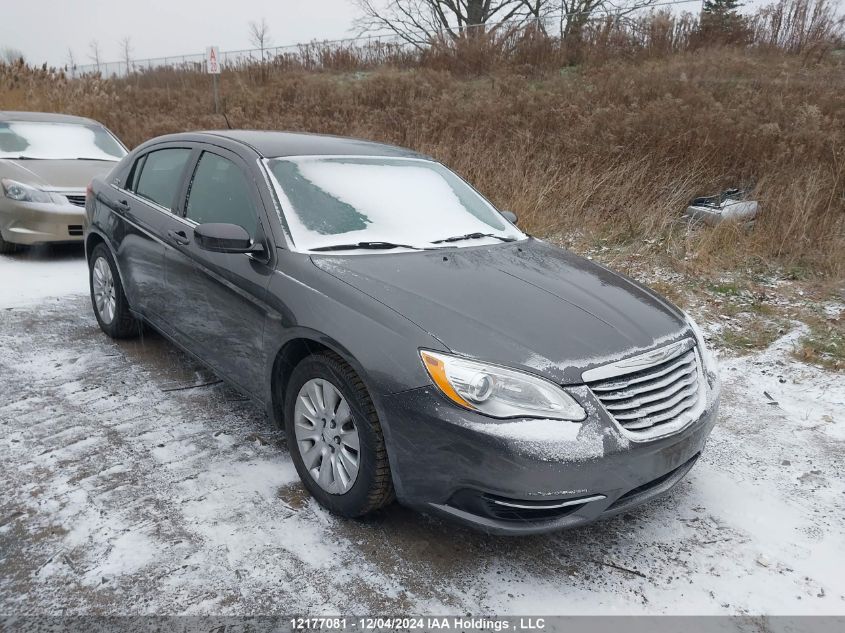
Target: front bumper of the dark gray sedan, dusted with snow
<point x="503" y="476"/>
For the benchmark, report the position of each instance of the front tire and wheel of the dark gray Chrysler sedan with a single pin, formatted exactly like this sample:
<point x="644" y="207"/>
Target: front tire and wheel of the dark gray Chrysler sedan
<point x="335" y="437"/>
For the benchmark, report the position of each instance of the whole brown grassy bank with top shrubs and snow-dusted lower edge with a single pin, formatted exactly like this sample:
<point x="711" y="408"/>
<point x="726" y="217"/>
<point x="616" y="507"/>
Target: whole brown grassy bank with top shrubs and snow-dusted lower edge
<point x="601" y="155"/>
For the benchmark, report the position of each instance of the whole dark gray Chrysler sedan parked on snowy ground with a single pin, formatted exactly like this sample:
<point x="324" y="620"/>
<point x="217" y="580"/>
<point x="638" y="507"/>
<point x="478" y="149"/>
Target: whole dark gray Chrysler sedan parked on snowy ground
<point x="412" y="341"/>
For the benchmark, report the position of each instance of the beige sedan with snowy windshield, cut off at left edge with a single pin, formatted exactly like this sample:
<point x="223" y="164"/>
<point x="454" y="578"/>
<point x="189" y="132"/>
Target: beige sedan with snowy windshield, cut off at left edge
<point x="46" y="163"/>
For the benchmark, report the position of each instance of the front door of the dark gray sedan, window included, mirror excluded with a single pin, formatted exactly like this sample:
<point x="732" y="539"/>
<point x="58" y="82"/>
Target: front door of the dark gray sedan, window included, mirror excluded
<point x="217" y="300"/>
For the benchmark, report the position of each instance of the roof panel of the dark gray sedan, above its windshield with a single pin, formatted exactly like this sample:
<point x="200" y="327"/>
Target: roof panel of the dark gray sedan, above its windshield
<point x="272" y="144"/>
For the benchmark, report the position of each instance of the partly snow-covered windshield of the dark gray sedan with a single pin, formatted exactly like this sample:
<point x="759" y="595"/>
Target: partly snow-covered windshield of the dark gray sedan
<point x="333" y="201"/>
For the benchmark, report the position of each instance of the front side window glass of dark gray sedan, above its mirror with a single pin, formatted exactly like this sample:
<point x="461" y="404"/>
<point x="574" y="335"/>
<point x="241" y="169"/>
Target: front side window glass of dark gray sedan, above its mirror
<point x="220" y="192"/>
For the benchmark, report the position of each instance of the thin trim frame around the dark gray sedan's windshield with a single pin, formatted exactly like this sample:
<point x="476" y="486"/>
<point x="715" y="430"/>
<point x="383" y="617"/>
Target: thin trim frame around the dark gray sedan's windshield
<point x="275" y="185"/>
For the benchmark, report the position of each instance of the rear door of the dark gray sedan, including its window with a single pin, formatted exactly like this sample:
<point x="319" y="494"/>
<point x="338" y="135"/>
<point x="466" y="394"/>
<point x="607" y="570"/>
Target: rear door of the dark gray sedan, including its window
<point x="147" y="202"/>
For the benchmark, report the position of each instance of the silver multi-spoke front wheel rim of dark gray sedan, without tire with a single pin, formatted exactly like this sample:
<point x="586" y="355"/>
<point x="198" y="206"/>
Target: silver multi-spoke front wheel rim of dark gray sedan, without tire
<point x="326" y="436"/>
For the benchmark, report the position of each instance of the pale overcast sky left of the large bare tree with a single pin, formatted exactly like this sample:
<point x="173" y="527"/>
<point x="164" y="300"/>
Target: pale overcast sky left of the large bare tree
<point x="44" y="29"/>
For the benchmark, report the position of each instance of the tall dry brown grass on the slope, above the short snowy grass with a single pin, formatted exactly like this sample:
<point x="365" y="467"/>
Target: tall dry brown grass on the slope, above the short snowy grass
<point x="609" y="151"/>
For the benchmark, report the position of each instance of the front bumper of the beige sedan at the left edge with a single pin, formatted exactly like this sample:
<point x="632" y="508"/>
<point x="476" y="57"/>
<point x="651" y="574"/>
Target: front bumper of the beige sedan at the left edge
<point x="30" y="223"/>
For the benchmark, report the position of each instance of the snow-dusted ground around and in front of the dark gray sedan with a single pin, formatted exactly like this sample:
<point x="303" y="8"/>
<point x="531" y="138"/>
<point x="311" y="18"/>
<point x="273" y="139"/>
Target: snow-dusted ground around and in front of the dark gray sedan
<point x="123" y="492"/>
